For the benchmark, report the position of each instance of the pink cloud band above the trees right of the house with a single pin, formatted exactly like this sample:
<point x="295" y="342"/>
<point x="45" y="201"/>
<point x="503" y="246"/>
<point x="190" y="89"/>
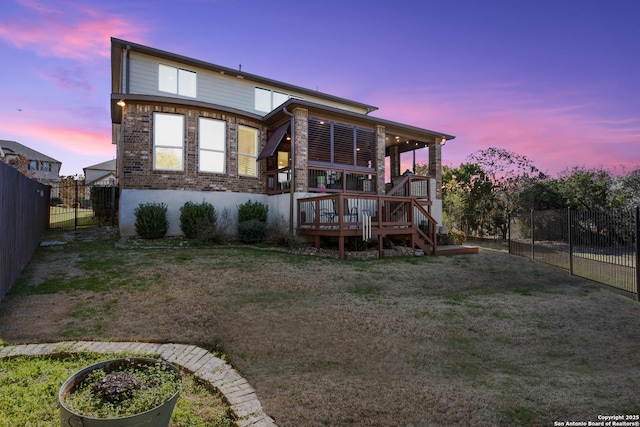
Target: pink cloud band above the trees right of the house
<point x="551" y="131"/>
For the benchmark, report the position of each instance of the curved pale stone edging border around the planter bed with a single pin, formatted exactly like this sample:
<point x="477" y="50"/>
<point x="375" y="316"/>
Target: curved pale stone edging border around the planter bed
<point x="199" y="362"/>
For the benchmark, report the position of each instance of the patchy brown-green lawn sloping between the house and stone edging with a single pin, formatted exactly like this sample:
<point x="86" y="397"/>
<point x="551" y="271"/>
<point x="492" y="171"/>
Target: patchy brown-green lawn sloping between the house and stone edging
<point x="486" y="339"/>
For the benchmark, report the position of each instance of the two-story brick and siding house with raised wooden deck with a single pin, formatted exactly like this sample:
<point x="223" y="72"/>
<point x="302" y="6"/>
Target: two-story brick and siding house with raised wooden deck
<point x="189" y="130"/>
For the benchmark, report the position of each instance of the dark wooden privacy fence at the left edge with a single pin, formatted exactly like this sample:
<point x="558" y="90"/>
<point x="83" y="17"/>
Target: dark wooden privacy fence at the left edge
<point x="24" y="216"/>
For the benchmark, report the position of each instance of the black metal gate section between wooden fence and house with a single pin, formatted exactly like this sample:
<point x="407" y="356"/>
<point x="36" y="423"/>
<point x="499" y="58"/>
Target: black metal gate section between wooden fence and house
<point x="75" y="205"/>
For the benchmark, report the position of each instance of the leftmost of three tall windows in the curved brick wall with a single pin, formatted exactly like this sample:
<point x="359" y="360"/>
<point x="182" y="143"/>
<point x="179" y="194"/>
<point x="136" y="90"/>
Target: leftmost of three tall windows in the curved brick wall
<point x="168" y="141"/>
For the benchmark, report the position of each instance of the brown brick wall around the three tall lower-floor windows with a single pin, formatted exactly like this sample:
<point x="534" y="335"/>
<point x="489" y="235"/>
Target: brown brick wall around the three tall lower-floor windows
<point x="135" y="149"/>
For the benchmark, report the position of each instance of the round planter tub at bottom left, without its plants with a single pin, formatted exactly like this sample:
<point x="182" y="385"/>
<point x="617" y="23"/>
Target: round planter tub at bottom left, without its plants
<point x="158" y="416"/>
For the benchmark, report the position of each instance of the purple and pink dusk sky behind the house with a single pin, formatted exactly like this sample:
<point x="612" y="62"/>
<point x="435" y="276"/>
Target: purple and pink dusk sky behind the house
<point x="555" y="80"/>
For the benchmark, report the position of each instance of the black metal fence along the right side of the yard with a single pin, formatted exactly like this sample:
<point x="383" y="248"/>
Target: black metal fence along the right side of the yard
<point x="600" y="246"/>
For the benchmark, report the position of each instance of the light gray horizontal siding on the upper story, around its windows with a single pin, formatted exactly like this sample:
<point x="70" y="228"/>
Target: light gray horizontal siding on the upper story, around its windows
<point x="212" y="87"/>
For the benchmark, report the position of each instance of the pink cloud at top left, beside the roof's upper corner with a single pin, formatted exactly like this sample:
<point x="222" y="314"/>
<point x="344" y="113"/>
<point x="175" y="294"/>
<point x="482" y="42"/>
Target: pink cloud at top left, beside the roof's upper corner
<point x="72" y="31"/>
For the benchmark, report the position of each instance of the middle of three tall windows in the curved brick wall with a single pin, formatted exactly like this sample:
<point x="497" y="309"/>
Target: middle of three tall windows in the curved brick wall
<point x="212" y="142"/>
